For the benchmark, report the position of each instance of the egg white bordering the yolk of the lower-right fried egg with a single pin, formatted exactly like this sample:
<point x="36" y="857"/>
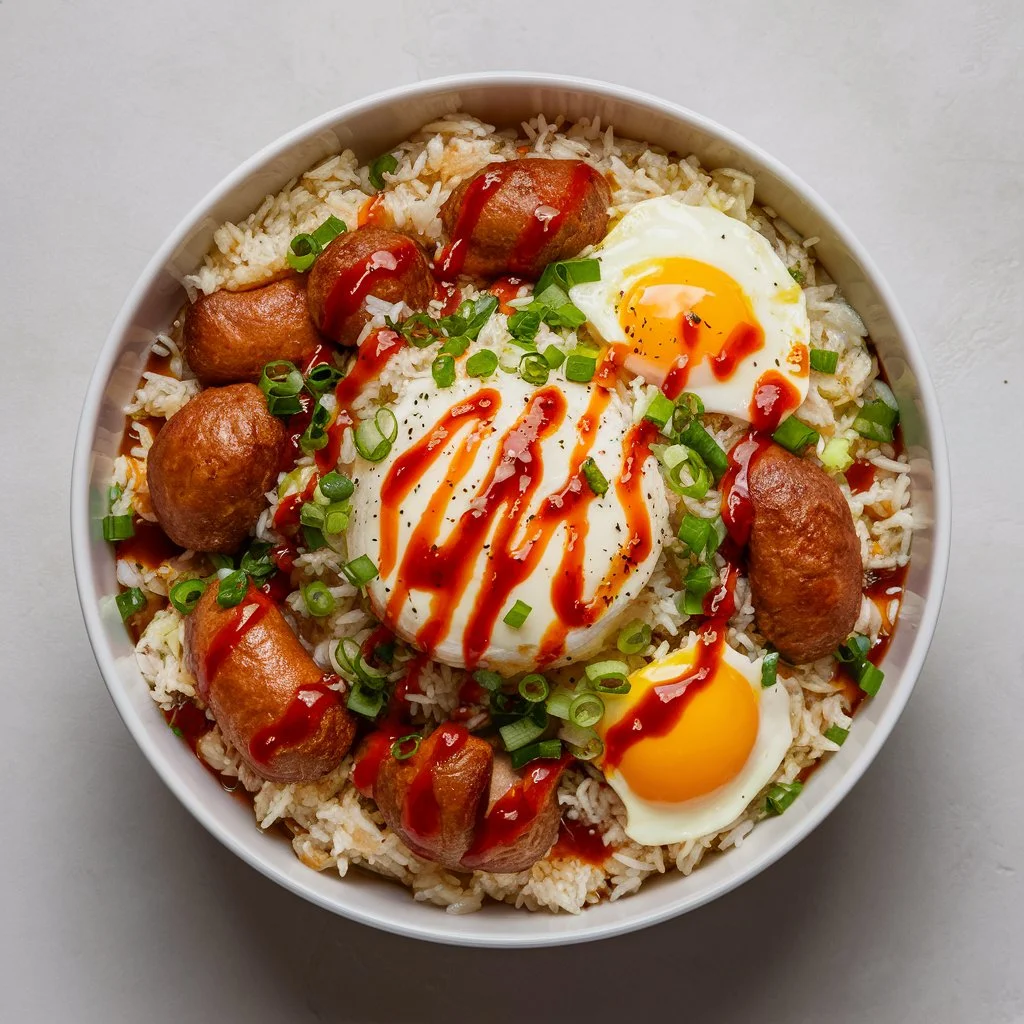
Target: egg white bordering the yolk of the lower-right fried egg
<point x="655" y="824"/>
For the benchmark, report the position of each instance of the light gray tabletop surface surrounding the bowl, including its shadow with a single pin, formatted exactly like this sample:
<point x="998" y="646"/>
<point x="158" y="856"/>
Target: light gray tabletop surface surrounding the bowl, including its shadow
<point x="907" y="906"/>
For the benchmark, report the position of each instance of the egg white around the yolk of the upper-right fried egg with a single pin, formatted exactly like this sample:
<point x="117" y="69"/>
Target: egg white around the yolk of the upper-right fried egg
<point x="666" y="228"/>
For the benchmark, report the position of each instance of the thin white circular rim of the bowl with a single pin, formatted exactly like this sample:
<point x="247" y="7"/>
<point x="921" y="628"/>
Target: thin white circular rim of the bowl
<point x="79" y="508"/>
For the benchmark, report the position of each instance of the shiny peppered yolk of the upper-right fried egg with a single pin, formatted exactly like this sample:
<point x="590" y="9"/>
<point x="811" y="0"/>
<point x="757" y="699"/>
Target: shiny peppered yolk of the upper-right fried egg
<point x="684" y="308"/>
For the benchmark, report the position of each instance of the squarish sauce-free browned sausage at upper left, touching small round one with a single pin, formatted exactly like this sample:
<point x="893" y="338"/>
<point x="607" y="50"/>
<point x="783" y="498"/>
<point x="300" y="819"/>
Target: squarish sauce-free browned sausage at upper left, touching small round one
<point x="229" y="337"/>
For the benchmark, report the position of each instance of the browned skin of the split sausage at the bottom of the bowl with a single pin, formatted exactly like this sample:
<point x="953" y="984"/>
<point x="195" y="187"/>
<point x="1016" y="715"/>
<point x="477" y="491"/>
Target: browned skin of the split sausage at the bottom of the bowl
<point x="466" y="788"/>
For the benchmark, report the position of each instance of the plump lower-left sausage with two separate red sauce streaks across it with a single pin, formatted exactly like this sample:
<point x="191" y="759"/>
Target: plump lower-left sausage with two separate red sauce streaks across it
<point x="269" y="697"/>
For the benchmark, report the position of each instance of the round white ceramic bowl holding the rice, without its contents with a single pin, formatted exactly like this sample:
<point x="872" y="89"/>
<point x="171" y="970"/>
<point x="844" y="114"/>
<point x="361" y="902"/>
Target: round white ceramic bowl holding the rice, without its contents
<point x="369" y="127"/>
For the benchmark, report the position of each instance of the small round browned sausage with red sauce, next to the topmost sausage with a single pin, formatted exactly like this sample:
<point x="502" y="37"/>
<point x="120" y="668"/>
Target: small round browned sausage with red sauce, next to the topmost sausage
<point x="370" y="262"/>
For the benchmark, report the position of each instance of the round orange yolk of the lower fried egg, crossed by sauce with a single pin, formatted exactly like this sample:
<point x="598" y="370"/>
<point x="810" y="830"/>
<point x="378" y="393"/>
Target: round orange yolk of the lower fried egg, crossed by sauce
<point x="705" y="748"/>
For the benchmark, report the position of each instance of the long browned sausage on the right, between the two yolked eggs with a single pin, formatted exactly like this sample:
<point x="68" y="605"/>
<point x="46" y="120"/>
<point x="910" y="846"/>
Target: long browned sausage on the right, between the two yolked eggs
<point x="805" y="566"/>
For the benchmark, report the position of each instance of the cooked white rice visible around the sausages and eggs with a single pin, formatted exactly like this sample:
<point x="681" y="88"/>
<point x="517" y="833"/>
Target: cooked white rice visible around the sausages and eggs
<point x="332" y="827"/>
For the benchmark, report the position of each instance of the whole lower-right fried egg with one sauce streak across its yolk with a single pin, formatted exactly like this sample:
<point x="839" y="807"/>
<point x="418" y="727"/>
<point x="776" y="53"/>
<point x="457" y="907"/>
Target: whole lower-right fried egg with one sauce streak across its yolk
<point x="694" y="742"/>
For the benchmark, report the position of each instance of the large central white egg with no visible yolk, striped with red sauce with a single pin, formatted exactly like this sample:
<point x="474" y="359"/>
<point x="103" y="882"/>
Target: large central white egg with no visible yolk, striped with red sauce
<point x="493" y="547"/>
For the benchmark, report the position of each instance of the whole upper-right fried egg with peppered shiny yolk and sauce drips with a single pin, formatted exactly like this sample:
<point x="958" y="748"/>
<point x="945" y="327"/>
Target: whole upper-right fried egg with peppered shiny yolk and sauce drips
<point x="695" y="301"/>
